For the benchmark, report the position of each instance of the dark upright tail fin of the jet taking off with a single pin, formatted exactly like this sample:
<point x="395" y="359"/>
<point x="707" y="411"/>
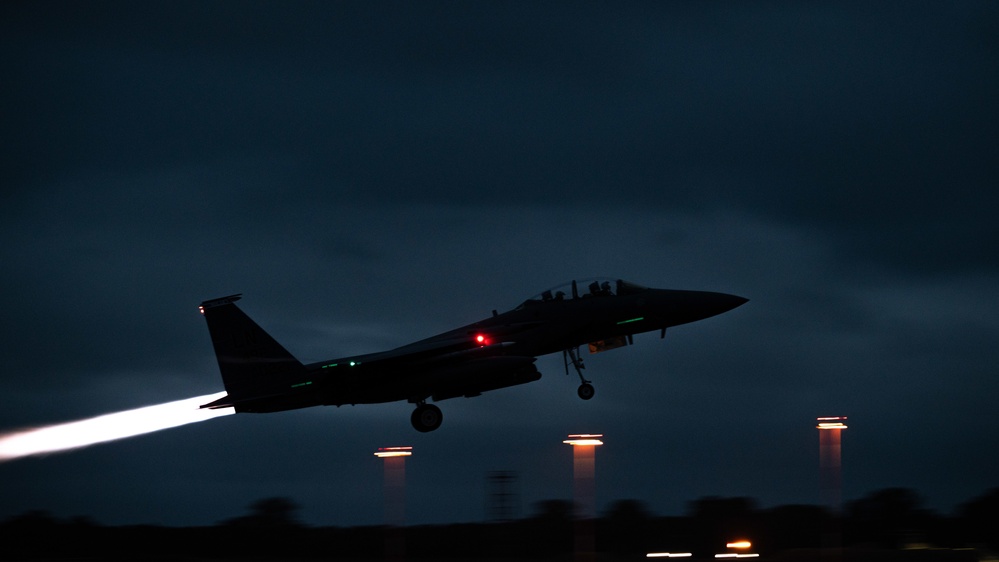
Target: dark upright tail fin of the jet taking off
<point x="252" y="363"/>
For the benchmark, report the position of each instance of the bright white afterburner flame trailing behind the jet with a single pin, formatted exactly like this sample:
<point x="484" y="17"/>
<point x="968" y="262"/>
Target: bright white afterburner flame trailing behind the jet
<point x="109" y="427"/>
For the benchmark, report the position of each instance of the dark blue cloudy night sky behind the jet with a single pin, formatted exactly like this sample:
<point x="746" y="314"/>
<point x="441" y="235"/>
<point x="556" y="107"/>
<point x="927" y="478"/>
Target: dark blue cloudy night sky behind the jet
<point x="368" y="176"/>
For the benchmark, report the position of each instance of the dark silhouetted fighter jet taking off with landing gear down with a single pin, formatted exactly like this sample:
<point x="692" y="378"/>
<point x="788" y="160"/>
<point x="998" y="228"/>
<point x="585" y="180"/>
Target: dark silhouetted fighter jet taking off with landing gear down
<point x="261" y="376"/>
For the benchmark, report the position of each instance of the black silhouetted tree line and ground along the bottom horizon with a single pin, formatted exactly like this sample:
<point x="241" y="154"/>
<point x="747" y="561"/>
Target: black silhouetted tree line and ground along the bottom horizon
<point x="887" y="520"/>
